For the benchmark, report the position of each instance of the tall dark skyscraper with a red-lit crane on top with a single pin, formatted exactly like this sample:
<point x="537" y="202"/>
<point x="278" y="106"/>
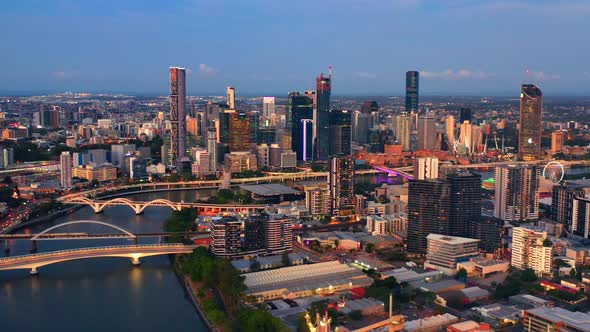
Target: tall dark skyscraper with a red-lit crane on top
<point x="322" y="118"/>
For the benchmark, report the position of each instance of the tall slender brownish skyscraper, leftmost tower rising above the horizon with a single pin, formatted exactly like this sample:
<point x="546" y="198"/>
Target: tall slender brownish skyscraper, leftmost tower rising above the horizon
<point x="177" y="115"/>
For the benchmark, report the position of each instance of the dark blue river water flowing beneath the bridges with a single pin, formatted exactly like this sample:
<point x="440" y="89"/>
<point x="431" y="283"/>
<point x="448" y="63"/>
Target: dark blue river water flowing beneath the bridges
<point x="103" y="294"/>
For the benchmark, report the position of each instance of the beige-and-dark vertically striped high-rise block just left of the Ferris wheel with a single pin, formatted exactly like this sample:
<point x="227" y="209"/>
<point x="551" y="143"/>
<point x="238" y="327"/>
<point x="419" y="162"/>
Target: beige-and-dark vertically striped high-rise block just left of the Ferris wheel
<point x="516" y="192"/>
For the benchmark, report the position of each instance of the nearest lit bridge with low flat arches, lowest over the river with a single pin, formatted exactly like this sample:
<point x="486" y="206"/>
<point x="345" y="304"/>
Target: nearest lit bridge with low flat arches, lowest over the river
<point x="133" y="252"/>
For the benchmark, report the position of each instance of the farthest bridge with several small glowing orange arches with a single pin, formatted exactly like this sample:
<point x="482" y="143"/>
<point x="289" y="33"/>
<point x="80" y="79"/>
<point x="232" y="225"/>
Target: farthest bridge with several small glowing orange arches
<point x="139" y="206"/>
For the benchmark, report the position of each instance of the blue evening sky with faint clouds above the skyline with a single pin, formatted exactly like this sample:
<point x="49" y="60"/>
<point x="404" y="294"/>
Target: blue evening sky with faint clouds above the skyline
<point x="277" y="46"/>
